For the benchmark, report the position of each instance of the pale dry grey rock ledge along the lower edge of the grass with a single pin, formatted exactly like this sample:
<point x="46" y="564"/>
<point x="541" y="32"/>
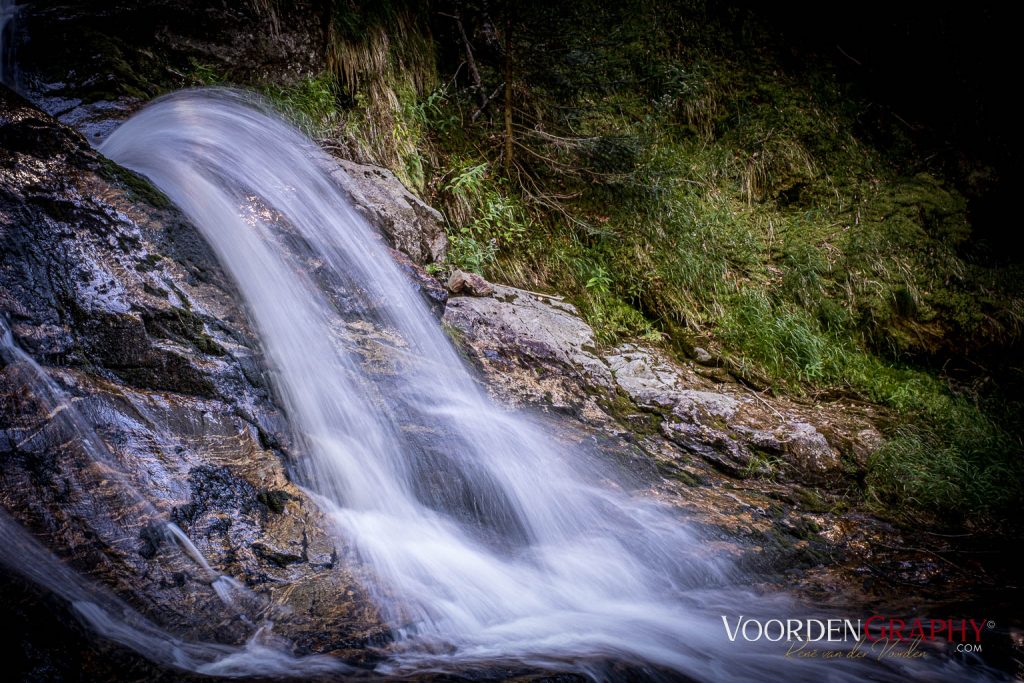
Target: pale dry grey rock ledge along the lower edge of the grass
<point x="541" y="351"/>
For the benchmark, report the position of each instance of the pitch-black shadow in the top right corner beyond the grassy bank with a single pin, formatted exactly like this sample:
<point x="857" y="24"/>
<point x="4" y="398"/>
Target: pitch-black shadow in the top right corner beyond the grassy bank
<point x="947" y="72"/>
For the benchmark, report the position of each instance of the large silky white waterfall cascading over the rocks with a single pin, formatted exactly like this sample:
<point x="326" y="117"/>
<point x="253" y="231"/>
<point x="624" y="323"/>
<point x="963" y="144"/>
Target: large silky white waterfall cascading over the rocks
<point x="490" y="542"/>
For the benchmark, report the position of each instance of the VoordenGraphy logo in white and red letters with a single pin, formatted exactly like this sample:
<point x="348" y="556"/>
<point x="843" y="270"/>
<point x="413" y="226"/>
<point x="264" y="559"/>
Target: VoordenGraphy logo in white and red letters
<point x="886" y="636"/>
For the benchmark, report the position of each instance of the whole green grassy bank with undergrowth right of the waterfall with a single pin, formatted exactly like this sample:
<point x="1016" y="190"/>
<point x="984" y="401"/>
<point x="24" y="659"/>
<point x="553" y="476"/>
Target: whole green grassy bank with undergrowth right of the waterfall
<point x="666" y="168"/>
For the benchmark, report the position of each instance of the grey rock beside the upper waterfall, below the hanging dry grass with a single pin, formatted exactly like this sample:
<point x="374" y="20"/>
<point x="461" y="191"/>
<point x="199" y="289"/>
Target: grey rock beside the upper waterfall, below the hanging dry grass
<point x="411" y="226"/>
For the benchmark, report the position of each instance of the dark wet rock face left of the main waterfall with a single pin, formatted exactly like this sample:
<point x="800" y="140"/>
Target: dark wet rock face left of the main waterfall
<point x="155" y="368"/>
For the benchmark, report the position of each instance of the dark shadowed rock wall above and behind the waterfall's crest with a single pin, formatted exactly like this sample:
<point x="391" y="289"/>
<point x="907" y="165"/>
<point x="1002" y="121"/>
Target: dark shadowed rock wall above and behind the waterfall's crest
<point x="92" y="64"/>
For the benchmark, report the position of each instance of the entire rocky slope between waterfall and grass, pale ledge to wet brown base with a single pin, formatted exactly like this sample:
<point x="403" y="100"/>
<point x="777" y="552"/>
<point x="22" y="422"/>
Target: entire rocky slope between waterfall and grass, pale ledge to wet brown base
<point x="772" y="477"/>
